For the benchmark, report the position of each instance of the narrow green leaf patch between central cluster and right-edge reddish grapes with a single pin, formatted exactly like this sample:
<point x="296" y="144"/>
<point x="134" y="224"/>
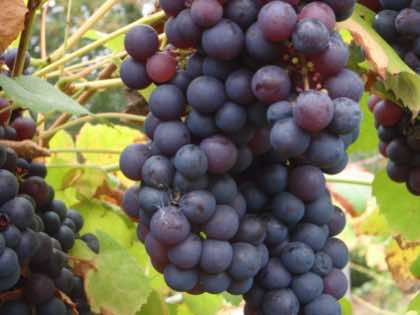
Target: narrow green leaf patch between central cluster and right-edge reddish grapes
<point x="368" y="141"/>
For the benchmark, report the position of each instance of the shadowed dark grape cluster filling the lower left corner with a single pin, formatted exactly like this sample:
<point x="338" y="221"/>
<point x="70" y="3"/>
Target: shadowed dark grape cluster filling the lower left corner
<point x="36" y="232"/>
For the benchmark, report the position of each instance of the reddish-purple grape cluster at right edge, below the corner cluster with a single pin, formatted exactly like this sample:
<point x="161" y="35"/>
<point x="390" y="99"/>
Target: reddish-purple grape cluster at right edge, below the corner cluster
<point x="399" y="142"/>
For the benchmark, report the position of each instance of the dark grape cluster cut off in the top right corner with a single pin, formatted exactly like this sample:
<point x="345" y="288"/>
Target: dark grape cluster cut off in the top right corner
<point x="398" y="23"/>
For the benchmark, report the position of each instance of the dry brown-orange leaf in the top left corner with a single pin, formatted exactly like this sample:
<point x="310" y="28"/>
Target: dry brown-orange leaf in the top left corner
<point x="12" y="17"/>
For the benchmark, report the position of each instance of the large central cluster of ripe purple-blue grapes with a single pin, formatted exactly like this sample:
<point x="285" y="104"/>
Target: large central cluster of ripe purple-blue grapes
<point x="233" y="195"/>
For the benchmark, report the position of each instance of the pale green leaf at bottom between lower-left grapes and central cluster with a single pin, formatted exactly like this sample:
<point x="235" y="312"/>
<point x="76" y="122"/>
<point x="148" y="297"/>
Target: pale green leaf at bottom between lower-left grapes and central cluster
<point x="116" y="285"/>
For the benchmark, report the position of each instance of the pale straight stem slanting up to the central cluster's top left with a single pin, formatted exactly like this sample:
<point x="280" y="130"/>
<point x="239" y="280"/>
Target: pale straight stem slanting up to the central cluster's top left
<point x="151" y="19"/>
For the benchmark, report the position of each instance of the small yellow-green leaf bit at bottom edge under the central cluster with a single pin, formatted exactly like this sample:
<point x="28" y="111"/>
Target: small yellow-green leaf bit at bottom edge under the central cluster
<point x="207" y="304"/>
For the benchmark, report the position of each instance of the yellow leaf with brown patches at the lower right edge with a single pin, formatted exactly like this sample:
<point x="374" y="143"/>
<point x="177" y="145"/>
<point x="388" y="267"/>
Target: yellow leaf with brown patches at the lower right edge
<point x="400" y="256"/>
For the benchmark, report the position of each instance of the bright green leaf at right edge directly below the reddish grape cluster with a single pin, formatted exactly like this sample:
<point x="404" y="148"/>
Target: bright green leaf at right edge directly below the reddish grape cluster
<point x="399" y="207"/>
